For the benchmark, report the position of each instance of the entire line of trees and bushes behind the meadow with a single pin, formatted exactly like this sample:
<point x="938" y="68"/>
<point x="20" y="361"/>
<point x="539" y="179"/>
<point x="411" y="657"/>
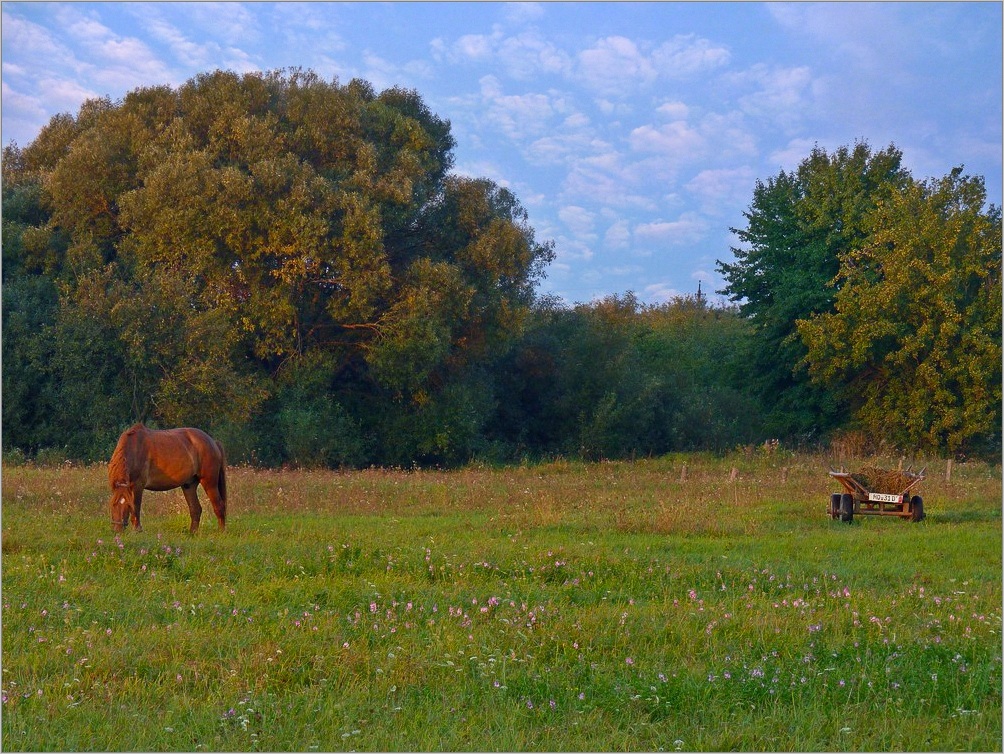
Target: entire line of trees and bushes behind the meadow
<point x="291" y="265"/>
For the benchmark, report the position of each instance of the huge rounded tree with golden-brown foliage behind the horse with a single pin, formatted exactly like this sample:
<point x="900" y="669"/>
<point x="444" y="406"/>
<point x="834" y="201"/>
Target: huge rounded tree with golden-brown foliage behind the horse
<point x="243" y="228"/>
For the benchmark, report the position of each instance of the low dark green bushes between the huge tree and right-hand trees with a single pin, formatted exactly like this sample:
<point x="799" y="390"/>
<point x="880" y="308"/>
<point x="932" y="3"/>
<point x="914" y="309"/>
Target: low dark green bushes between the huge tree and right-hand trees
<point x="616" y="380"/>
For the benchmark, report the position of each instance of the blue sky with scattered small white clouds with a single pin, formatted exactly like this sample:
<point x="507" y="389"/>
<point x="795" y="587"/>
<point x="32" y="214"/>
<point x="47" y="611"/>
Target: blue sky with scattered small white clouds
<point x="634" y="134"/>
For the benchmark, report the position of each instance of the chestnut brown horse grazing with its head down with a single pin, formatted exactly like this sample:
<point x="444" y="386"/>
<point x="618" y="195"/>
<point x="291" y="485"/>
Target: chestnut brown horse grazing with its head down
<point x="163" y="460"/>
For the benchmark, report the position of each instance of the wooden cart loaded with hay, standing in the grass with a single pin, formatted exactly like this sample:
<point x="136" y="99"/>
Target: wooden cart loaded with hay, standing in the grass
<point x="877" y="492"/>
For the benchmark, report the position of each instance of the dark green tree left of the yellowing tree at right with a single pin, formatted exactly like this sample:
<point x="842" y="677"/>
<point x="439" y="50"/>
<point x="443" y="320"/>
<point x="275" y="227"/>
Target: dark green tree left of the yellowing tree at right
<point x="799" y="226"/>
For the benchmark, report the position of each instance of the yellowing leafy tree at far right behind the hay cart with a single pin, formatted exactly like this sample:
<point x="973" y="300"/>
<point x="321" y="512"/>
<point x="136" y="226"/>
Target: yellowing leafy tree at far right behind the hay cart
<point x="915" y="342"/>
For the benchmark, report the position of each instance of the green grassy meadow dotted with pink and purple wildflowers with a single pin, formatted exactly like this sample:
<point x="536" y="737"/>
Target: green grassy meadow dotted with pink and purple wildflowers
<point x="562" y="607"/>
